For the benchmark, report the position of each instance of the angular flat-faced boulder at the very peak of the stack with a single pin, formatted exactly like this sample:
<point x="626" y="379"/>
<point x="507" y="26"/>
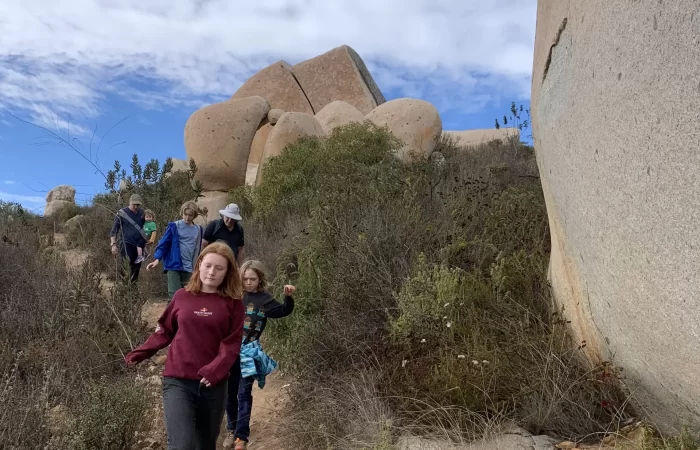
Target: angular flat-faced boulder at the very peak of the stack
<point x="339" y="74"/>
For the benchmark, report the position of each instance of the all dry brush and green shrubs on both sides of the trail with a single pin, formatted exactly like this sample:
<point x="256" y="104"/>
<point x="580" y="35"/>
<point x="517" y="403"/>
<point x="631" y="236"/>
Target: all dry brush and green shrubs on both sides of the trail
<point x="422" y="304"/>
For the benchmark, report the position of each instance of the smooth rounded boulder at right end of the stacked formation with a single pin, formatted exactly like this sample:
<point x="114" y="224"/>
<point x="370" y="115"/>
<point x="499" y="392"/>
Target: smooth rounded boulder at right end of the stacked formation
<point x="416" y="122"/>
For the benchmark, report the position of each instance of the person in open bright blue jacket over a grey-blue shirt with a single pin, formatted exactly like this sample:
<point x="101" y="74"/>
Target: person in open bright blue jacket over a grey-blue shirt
<point x="179" y="249"/>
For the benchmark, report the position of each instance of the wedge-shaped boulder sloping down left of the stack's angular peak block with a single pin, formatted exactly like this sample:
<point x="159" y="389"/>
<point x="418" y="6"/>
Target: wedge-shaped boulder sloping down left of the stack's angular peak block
<point x="276" y="84"/>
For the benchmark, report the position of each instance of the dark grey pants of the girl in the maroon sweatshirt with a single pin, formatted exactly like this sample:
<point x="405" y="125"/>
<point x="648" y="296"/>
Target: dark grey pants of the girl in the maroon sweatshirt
<point x="193" y="413"/>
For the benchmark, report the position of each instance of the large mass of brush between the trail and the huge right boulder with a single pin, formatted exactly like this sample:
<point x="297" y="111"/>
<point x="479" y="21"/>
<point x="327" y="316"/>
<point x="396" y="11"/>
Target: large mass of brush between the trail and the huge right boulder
<point x="422" y="301"/>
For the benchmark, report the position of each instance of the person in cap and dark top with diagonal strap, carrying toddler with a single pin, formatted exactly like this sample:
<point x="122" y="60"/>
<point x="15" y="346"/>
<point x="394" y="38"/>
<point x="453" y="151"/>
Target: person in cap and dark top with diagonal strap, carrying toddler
<point x="129" y="221"/>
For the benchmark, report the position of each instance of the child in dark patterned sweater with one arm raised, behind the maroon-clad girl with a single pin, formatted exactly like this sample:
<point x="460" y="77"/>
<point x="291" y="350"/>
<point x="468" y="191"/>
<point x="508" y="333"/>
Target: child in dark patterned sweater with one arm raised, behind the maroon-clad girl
<point x="260" y="306"/>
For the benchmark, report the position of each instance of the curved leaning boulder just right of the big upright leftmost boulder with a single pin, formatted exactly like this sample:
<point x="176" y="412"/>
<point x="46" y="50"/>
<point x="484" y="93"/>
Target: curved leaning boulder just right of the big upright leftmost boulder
<point x="291" y="127"/>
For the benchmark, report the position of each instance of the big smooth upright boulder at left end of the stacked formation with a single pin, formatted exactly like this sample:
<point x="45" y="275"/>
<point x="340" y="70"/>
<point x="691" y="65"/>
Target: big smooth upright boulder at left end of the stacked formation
<point x="219" y="138"/>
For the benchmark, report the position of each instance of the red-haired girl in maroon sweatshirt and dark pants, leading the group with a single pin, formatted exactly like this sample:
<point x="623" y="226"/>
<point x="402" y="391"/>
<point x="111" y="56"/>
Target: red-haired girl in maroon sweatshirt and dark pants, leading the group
<point x="203" y="325"/>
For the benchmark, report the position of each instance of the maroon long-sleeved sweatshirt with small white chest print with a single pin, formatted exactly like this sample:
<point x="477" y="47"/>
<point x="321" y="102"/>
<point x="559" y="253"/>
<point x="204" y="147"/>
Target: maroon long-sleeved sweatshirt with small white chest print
<point x="204" y="332"/>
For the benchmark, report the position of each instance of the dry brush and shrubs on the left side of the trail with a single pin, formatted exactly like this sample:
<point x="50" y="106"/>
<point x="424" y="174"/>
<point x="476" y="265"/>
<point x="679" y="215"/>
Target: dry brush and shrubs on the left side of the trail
<point x="63" y="384"/>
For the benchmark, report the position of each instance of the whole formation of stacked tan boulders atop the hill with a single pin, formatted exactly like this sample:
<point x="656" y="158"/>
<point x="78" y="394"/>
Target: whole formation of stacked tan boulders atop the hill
<point x="232" y="140"/>
